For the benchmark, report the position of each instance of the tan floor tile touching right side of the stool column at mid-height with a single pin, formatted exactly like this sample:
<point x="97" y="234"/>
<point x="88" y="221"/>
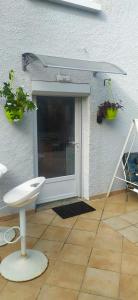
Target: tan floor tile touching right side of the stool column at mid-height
<point x="34" y="230"/>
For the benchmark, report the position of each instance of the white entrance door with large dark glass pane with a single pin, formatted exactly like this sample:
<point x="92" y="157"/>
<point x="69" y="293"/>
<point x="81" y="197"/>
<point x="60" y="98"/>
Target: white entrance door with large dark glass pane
<point x="59" y="146"/>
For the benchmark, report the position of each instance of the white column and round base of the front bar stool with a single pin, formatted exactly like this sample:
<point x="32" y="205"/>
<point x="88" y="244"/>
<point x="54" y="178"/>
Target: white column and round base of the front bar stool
<point x="24" y="264"/>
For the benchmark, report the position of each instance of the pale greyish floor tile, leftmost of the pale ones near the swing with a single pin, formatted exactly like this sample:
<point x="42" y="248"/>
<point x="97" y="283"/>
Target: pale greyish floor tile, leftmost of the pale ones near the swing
<point x="117" y="223"/>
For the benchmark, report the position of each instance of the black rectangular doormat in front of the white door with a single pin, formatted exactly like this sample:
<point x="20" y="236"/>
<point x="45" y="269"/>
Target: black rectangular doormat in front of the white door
<point x="74" y="209"/>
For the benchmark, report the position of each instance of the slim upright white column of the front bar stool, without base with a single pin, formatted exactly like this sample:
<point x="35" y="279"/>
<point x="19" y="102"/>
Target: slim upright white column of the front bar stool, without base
<point x="22" y="215"/>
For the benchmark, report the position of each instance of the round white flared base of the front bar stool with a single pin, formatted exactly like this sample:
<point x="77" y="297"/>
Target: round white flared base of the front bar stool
<point x="23" y="268"/>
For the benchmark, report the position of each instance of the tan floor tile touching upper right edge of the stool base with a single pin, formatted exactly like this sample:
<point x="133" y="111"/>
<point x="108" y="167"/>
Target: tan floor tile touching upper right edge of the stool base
<point x="50" y="248"/>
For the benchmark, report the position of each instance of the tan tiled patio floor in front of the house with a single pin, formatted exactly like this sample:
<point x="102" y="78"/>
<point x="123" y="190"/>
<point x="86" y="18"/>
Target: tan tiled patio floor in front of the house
<point x="88" y="260"/>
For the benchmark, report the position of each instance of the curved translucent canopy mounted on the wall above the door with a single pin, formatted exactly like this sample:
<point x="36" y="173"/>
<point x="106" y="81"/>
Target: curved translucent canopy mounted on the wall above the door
<point x="71" y="64"/>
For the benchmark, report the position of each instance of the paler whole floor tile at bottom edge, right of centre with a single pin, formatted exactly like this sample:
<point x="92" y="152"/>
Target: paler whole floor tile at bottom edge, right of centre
<point x="101" y="282"/>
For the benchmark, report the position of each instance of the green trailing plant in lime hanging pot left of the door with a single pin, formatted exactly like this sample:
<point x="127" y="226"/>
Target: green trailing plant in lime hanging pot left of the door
<point x="17" y="101"/>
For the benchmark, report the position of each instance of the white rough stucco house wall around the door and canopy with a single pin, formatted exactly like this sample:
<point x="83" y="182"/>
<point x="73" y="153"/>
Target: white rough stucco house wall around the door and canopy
<point x="42" y="27"/>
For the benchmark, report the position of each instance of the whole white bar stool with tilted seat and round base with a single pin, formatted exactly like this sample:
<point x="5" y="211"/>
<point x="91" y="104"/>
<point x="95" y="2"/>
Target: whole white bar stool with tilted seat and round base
<point x="25" y="264"/>
